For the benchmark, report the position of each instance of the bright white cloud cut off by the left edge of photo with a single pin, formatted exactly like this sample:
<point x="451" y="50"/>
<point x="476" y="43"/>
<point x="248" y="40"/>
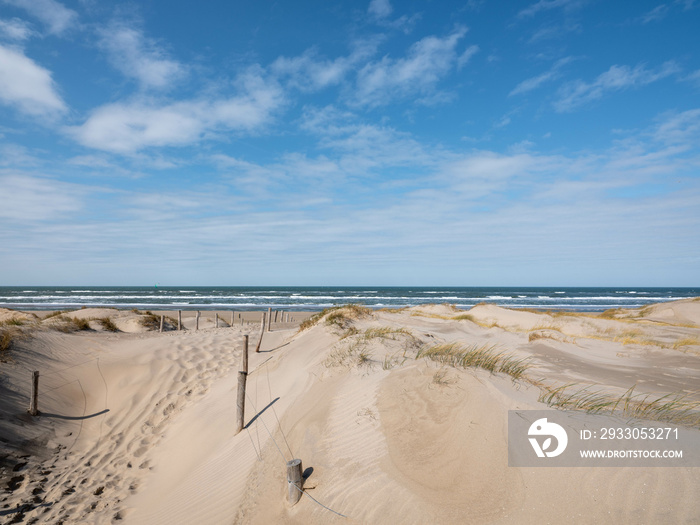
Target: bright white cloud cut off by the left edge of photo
<point x="27" y="86"/>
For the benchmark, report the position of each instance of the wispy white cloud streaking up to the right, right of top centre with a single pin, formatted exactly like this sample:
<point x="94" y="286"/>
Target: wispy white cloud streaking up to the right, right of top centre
<point x="428" y="60"/>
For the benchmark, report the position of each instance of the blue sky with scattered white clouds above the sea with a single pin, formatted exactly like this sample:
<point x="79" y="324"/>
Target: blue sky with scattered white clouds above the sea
<point x="534" y="143"/>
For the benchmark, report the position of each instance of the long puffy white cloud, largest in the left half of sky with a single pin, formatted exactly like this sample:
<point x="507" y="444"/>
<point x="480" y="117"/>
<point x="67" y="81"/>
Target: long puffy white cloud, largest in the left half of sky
<point x="130" y="127"/>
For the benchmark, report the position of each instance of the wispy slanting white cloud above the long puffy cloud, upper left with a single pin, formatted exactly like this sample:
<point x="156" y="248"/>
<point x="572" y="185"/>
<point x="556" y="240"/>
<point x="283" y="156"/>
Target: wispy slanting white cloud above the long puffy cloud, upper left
<point x="139" y="57"/>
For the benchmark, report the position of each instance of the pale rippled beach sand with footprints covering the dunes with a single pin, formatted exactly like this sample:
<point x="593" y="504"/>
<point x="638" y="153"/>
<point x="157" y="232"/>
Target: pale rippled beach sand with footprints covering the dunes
<point x="138" y="426"/>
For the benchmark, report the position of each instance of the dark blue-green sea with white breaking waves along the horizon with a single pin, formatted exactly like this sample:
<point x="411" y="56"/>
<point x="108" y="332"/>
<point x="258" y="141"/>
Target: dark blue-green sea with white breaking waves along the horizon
<point x="320" y="297"/>
